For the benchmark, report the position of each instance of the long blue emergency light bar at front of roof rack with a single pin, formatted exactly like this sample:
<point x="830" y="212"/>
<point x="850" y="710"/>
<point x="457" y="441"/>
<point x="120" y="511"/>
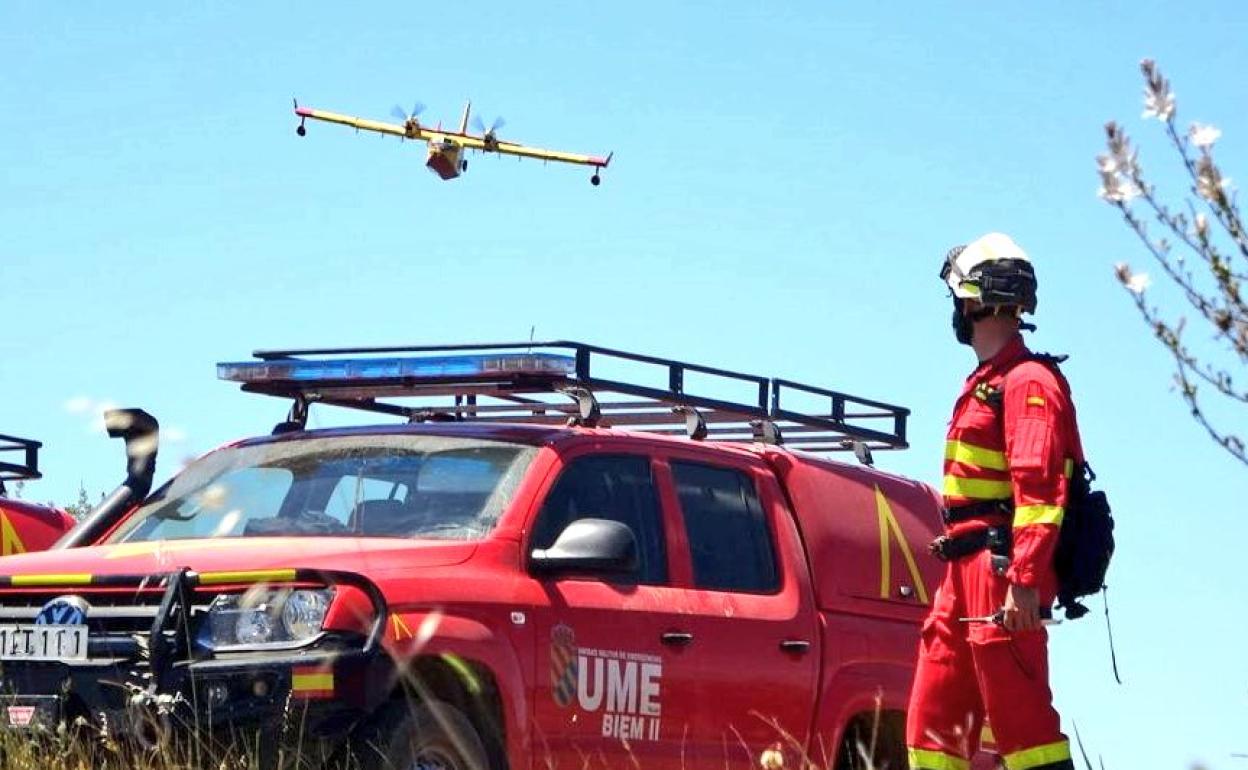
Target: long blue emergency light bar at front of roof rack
<point x="437" y="369"/>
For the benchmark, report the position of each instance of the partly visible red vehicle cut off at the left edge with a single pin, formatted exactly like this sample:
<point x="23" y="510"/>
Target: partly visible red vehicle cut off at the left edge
<point x="24" y="526"/>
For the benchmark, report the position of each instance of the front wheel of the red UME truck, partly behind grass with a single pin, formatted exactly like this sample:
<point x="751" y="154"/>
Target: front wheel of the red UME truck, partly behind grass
<point x="431" y="736"/>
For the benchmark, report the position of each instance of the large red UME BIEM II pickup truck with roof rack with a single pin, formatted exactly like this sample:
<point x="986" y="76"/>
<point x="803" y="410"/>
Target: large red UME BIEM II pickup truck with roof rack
<point x="546" y="566"/>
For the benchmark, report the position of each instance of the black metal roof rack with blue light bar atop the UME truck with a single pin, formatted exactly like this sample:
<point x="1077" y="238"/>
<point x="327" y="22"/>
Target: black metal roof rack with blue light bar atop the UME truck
<point x="563" y="383"/>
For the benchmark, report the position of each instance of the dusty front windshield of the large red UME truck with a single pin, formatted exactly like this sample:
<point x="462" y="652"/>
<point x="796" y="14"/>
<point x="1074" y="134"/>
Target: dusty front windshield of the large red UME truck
<point x="359" y="486"/>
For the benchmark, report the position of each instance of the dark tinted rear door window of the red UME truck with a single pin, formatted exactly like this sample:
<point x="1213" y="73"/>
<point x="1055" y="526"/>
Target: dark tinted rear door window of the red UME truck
<point x="728" y="532"/>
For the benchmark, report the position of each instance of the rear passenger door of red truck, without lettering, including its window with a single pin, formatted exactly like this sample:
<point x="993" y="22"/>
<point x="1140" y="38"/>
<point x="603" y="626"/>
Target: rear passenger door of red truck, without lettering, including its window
<point x="754" y="642"/>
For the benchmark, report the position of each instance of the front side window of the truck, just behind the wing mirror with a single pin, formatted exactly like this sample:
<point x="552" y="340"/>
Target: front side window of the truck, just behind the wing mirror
<point x="610" y="487"/>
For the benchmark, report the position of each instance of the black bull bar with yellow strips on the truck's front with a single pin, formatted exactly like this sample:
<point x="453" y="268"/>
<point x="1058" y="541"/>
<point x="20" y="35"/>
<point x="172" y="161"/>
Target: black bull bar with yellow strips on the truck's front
<point x="174" y="668"/>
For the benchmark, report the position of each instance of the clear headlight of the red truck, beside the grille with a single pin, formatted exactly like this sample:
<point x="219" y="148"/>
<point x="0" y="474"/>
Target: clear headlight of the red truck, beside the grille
<point x="265" y="617"/>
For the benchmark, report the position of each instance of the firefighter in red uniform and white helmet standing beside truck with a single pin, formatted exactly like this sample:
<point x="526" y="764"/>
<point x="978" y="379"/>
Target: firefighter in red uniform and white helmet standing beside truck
<point x="1009" y="457"/>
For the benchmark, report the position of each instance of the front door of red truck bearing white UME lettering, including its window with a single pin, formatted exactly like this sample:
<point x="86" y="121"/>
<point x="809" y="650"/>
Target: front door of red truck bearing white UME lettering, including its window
<point x="608" y="681"/>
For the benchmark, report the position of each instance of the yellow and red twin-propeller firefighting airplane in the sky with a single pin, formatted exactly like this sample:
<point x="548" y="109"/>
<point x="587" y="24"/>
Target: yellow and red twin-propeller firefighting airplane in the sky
<point x="447" y="148"/>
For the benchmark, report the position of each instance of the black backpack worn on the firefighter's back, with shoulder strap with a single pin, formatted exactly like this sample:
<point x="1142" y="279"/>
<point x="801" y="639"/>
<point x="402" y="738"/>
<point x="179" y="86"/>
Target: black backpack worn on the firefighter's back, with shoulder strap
<point x="1085" y="543"/>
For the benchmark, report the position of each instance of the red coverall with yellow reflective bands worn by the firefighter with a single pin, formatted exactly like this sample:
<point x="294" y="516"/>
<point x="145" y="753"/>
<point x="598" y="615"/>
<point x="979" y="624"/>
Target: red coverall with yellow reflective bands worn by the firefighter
<point x="1024" y="450"/>
